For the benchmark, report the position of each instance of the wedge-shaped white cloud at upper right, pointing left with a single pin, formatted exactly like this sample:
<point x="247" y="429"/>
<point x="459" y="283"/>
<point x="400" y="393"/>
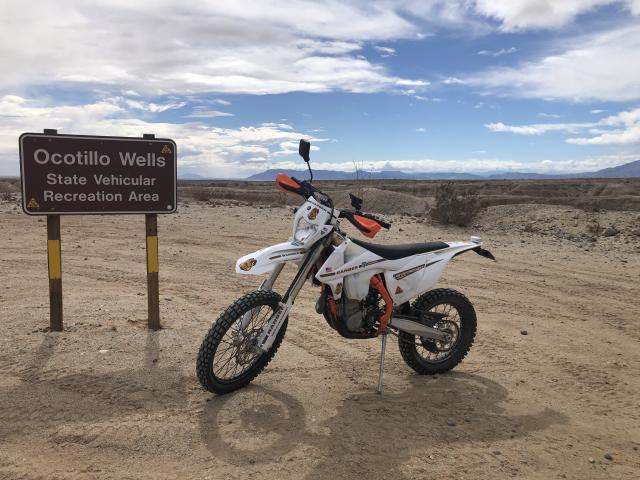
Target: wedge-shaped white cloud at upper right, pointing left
<point x="599" y="66"/>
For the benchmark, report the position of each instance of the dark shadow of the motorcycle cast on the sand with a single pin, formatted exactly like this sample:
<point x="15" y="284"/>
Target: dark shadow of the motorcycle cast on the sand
<point x="369" y="434"/>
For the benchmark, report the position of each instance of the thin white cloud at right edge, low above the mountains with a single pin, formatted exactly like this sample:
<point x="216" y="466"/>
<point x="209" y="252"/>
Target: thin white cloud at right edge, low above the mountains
<point x="620" y="129"/>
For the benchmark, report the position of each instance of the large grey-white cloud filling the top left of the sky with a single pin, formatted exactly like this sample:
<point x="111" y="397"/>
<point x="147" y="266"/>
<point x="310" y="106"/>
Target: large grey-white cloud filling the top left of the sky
<point x="247" y="47"/>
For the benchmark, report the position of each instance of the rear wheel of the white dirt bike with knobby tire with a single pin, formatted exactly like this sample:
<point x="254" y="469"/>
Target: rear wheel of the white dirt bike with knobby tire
<point x="427" y="356"/>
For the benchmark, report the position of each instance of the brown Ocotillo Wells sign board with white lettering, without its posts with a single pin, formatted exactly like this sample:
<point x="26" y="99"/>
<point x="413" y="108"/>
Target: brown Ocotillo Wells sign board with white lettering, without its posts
<point x="75" y="174"/>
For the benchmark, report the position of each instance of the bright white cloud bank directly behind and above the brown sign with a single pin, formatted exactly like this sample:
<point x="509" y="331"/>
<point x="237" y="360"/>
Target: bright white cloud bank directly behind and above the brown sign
<point x="212" y="151"/>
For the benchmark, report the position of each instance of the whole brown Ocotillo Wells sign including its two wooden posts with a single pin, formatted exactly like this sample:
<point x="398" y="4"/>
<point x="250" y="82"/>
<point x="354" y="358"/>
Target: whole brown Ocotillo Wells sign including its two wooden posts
<point x="84" y="175"/>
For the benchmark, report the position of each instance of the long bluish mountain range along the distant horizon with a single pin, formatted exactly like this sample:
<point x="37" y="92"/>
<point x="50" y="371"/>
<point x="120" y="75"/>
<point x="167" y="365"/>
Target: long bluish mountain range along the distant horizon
<point x="628" y="170"/>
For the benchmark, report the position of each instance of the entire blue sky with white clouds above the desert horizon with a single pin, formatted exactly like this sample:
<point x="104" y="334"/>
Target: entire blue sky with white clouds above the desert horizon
<point x="413" y="85"/>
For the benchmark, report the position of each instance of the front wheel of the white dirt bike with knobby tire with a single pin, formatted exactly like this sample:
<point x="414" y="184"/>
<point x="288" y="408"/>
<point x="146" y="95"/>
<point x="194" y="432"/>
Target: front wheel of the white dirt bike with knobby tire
<point x="228" y="359"/>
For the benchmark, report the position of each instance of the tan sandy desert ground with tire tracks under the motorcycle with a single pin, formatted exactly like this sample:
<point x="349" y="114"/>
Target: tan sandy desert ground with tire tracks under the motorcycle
<point x="108" y="399"/>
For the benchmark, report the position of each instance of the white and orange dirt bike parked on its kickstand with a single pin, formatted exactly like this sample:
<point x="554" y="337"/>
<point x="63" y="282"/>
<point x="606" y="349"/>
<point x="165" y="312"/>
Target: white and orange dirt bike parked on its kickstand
<point x="366" y="290"/>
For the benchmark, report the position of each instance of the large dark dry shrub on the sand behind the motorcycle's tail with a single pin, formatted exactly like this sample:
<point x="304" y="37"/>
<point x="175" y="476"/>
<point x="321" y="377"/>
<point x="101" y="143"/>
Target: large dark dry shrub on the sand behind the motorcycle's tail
<point x="454" y="207"/>
